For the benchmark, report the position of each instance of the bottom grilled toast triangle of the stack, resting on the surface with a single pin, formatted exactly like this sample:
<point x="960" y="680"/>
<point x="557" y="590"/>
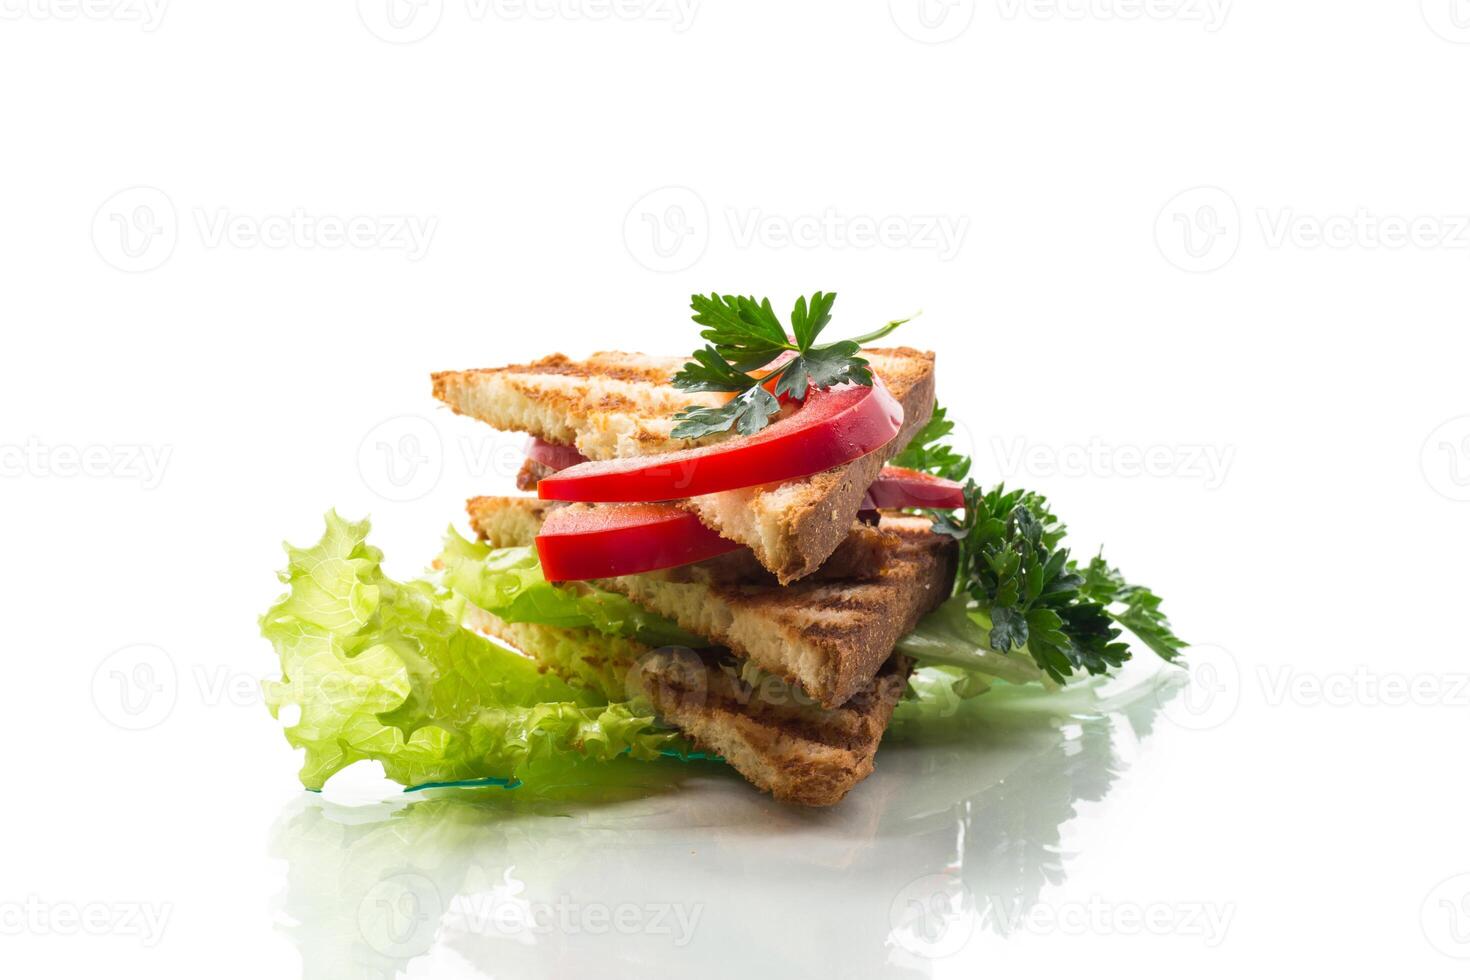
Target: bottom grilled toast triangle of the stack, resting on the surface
<point x="774" y="737"/>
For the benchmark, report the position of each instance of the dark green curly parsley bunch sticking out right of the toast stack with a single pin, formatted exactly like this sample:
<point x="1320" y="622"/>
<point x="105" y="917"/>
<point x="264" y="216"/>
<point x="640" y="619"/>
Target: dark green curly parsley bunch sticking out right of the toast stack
<point x="1037" y="599"/>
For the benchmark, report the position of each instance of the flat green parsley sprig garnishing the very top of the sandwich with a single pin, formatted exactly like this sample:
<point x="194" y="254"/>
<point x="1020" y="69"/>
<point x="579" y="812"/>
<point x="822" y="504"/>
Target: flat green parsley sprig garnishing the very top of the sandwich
<point x="745" y="336"/>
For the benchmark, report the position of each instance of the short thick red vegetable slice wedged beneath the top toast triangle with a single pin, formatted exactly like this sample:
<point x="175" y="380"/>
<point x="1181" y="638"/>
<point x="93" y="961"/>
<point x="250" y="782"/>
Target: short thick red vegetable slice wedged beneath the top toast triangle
<point x="611" y="540"/>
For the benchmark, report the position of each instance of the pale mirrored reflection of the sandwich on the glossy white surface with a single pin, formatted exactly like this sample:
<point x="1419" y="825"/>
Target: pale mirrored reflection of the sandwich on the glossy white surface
<point x="684" y="866"/>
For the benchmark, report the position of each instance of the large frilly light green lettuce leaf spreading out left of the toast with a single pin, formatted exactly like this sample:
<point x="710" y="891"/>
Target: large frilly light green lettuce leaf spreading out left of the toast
<point x="384" y="671"/>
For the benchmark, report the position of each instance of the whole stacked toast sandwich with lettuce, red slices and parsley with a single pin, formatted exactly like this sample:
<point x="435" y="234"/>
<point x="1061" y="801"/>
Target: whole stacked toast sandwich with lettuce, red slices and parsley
<point x="750" y="556"/>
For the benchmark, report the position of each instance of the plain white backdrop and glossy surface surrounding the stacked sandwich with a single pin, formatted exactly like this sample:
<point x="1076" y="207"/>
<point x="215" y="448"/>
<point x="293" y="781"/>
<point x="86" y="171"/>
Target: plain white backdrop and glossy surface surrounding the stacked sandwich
<point x="1224" y="239"/>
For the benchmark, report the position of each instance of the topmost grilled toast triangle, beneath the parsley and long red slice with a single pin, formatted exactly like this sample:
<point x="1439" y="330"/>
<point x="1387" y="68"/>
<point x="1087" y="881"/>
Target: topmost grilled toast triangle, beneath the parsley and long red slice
<point x="615" y="406"/>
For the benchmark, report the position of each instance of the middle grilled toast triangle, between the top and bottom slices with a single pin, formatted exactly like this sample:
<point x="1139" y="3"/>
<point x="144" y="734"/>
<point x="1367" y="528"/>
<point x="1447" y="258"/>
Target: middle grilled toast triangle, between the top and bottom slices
<point x="828" y="635"/>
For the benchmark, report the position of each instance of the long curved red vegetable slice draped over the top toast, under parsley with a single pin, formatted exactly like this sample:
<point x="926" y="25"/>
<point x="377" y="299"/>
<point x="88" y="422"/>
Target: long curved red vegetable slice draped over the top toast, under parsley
<point x="833" y="427"/>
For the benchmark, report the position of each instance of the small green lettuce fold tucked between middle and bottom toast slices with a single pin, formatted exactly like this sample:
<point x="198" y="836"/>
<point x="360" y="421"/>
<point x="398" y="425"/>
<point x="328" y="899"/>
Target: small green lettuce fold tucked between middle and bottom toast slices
<point x="508" y="583"/>
